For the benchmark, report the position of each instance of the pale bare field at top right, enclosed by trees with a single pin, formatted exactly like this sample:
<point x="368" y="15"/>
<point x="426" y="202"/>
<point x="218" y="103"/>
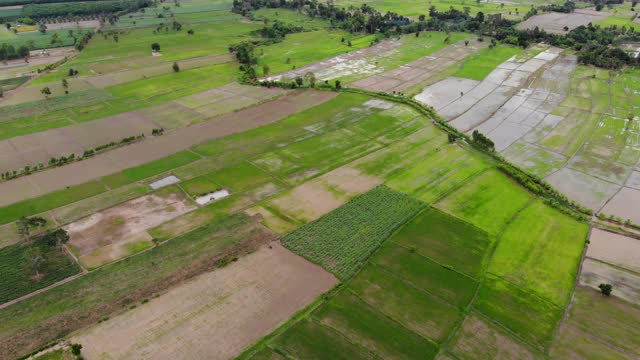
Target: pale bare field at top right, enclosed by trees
<point x="554" y="22"/>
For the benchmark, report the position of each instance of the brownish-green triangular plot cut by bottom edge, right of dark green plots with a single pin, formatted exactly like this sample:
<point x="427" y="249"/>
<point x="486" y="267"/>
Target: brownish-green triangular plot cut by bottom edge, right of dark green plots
<point x="479" y="338"/>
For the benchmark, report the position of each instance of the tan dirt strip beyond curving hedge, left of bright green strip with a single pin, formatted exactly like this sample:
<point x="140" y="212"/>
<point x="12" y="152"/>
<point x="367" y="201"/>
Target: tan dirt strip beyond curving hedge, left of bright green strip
<point x="420" y="71"/>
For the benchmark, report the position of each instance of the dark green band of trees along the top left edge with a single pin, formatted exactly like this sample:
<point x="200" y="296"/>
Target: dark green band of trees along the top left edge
<point x="83" y="8"/>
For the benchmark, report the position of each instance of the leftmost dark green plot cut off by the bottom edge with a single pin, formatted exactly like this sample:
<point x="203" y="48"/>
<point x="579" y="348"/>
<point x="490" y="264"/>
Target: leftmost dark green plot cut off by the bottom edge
<point x="310" y="340"/>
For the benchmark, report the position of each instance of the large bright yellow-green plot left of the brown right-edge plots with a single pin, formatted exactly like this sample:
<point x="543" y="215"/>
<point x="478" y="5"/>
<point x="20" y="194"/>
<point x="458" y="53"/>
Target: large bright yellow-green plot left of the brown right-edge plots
<point x="540" y="250"/>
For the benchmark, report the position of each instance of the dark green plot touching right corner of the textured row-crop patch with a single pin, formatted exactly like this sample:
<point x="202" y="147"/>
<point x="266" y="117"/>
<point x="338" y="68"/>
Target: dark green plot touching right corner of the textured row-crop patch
<point x="447" y="240"/>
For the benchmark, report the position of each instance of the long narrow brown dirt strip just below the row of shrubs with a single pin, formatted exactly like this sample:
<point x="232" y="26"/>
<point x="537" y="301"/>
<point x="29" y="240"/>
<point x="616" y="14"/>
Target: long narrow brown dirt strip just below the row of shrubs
<point x="158" y="147"/>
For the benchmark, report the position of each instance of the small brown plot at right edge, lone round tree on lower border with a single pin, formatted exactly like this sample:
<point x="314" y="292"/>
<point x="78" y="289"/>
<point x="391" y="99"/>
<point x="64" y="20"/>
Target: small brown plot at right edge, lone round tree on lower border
<point x="626" y="285"/>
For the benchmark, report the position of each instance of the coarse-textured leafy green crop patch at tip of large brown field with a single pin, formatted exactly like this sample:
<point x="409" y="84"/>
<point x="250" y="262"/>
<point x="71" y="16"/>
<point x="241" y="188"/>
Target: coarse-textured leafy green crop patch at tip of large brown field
<point x="343" y="240"/>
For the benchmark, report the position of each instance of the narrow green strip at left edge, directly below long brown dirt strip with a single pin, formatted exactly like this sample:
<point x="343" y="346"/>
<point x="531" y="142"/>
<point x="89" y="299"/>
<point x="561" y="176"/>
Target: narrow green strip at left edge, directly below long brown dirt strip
<point x="50" y="201"/>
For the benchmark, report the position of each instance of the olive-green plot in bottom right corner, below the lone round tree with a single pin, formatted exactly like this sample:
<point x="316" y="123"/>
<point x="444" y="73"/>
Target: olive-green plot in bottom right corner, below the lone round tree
<point x="608" y="319"/>
